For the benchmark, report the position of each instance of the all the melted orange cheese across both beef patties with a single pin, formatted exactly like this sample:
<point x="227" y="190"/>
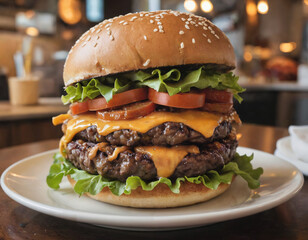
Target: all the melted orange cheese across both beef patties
<point x="165" y="159"/>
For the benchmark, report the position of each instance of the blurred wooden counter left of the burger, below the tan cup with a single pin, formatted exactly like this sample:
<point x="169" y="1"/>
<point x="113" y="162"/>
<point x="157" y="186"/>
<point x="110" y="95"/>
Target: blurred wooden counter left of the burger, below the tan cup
<point x="25" y="124"/>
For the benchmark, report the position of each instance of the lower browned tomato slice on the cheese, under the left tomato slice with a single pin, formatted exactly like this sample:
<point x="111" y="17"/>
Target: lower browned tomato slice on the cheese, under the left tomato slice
<point x="130" y="111"/>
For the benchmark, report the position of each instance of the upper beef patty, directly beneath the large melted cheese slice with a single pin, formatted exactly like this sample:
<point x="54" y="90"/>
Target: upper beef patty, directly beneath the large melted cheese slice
<point x="169" y="133"/>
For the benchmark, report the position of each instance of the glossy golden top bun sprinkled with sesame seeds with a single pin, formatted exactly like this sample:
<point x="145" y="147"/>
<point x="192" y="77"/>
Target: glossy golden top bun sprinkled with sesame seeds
<point x="146" y="40"/>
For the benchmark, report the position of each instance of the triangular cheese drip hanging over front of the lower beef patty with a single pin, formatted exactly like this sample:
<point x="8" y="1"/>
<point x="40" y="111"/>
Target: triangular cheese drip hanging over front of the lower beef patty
<point x="167" y="159"/>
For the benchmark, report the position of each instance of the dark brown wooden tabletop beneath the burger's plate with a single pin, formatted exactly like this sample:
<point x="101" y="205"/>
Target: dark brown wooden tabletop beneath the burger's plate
<point x="287" y="221"/>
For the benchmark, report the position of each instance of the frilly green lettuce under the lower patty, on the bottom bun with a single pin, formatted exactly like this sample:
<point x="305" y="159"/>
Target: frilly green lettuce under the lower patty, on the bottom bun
<point x="93" y="184"/>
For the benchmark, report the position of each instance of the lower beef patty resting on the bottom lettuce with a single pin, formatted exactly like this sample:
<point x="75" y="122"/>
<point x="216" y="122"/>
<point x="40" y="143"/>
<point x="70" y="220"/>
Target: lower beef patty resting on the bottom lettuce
<point x="129" y="163"/>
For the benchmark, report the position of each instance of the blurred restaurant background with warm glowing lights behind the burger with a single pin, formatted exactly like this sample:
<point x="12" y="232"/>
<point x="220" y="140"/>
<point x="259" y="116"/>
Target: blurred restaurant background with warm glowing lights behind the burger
<point x="270" y="38"/>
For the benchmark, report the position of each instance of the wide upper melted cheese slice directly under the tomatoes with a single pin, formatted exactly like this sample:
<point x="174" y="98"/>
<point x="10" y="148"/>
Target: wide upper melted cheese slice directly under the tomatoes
<point x="203" y="122"/>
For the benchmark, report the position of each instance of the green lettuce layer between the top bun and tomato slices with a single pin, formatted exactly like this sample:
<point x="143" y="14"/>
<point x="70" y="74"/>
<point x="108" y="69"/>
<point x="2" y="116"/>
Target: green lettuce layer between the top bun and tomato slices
<point x="173" y="81"/>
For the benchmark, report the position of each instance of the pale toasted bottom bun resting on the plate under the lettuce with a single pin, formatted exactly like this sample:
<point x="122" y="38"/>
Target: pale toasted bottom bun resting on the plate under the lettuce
<point x="161" y="196"/>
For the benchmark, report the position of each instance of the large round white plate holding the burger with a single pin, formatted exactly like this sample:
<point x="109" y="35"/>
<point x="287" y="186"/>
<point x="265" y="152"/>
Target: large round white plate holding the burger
<point x="25" y="183"/>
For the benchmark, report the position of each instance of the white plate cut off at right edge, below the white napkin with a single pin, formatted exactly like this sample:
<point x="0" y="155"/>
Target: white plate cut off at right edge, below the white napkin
<point x="285" y="151"/>
